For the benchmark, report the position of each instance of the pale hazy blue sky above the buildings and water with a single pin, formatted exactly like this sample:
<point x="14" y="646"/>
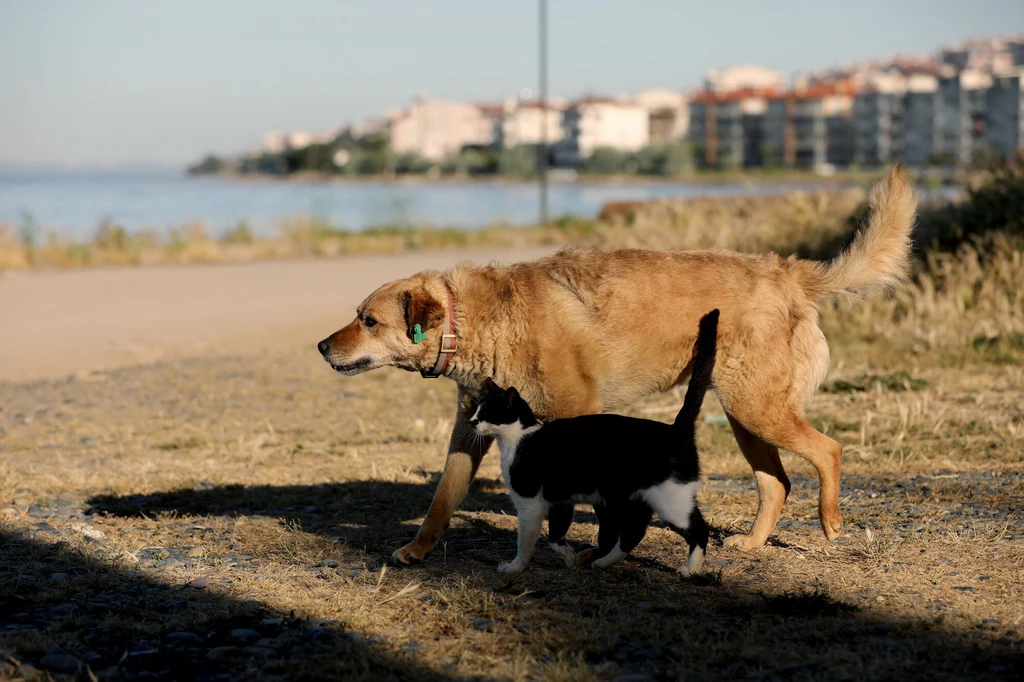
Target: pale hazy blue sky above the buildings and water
<point x="104" y="83"/>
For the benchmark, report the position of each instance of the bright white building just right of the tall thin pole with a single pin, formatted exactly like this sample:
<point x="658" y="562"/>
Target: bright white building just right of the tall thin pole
<point x="593" y="123"/>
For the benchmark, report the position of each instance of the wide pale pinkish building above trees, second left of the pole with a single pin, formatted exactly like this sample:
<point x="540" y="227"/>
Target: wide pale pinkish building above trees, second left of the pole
<point x="436" y="129"/>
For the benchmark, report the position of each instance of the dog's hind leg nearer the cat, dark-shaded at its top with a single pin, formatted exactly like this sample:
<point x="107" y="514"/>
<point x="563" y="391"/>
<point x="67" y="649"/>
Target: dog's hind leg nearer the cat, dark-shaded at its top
<point x="774" y="487"/>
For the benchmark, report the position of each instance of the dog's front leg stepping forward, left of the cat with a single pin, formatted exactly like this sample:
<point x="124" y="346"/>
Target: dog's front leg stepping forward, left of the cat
<point x="466" y="450"/>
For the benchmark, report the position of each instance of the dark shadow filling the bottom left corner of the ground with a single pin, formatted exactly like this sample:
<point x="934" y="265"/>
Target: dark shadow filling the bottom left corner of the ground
<point x="77" y="618"/>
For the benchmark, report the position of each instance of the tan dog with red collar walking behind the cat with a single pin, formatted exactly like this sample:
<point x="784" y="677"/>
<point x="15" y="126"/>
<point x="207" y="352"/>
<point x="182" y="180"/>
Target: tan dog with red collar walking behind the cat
<point x="583" y="332"/>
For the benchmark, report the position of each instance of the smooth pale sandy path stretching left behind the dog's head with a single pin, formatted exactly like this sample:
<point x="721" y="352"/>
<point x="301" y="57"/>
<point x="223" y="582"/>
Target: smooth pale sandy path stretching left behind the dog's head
<point x="58" y="323"/>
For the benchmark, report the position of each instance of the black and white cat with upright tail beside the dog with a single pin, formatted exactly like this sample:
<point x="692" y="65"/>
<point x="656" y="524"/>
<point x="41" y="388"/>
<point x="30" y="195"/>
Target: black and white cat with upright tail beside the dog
<point x="628" y="468"/>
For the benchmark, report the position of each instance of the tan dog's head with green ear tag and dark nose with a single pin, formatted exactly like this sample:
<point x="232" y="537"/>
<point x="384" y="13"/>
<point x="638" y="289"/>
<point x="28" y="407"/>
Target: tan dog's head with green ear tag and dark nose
<point x="385" y="330"/>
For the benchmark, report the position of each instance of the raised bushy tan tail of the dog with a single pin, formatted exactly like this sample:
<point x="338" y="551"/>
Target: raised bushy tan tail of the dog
<point x="879" y="257"/>
